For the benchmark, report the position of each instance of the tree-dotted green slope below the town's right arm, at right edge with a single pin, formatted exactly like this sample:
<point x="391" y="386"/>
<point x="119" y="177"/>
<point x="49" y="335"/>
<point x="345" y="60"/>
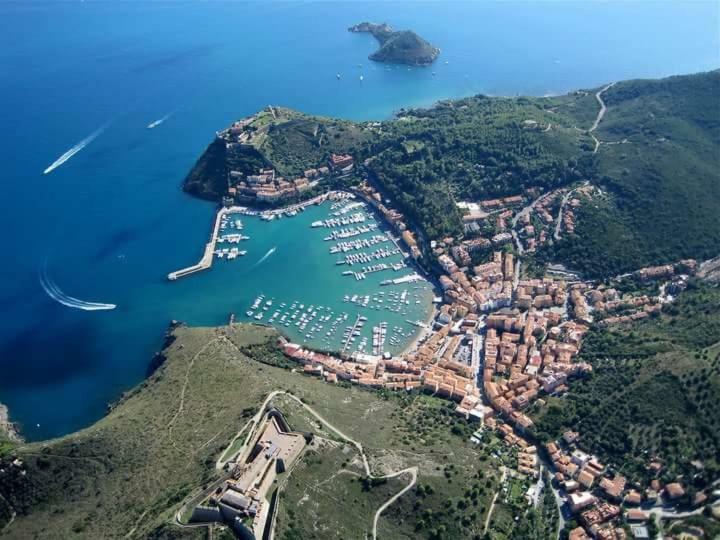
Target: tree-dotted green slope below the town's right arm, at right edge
<point x="655" y="390"/>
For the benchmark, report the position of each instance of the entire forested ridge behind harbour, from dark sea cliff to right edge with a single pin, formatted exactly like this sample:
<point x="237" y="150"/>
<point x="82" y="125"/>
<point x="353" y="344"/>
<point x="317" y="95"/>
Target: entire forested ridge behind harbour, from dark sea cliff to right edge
<point x="657" y="164"/>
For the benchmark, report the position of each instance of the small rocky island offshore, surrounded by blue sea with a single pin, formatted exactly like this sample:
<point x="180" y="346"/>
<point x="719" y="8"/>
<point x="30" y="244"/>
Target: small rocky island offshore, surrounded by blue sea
<point x="398" y="47"/>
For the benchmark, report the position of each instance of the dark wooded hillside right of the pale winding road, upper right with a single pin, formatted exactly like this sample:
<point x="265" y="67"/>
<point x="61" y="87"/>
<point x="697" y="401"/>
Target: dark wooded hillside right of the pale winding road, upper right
<point x="663" y="178"/>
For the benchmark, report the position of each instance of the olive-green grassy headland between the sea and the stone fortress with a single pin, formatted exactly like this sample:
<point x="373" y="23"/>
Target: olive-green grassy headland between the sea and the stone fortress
<point x="132" y="467"/>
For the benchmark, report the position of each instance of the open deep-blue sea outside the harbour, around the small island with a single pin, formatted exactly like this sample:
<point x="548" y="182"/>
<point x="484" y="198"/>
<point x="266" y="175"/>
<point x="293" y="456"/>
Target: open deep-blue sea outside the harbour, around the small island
<point x="112" y="221"/>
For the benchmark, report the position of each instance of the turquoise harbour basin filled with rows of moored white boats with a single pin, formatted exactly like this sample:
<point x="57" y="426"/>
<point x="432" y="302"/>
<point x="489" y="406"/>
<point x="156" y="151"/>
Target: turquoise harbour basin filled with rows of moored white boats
<point x="338" y="297"/>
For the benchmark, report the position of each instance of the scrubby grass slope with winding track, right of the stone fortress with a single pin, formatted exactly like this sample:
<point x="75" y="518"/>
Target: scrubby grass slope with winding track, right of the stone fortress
<point x="397" y="432"/>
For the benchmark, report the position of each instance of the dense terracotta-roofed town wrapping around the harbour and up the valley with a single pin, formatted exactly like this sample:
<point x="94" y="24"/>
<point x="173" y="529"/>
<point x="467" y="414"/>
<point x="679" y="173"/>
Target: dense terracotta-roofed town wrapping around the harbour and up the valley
<point x="501" y="341"/>
